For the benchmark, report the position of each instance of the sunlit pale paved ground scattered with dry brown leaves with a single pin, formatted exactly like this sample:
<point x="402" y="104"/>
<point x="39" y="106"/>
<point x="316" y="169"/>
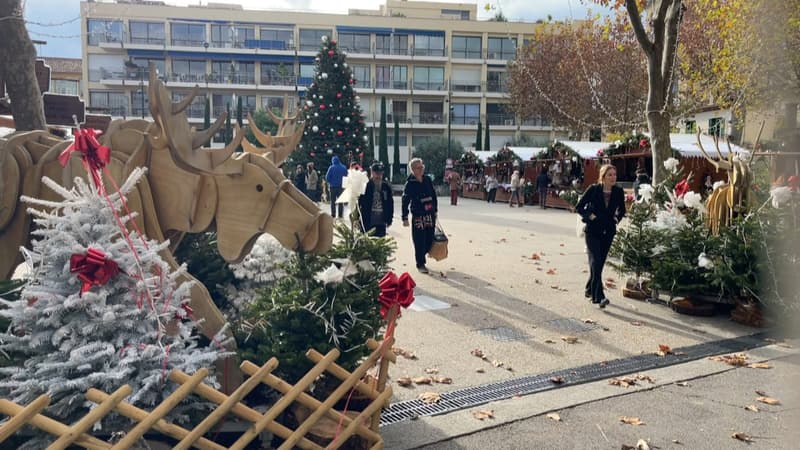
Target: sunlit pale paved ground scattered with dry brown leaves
<point x="519" y="273"/>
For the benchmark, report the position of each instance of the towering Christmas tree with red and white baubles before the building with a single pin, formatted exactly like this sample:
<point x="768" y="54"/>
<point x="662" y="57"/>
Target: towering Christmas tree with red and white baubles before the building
<point x="333" y="118"/>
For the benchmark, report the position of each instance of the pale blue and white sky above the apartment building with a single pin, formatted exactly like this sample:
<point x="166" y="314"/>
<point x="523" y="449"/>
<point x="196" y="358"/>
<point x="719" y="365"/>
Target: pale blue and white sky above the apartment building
<point x="58" y="21"/>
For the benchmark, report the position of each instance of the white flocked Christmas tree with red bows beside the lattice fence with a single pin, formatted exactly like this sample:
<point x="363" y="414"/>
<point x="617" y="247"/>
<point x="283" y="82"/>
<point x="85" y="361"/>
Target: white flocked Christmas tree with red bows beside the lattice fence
<point x="132" y="329"/>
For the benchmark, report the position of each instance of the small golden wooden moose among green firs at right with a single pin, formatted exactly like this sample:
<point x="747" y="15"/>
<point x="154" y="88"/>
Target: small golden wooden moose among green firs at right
<point x="732" y="198"/>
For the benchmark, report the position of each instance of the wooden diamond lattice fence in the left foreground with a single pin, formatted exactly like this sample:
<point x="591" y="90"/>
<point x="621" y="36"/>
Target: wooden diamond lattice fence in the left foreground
<point x="364" y="424"/>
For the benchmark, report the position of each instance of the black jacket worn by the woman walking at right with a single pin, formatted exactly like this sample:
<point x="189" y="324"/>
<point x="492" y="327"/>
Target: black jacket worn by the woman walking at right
<point x="606" y="217"/>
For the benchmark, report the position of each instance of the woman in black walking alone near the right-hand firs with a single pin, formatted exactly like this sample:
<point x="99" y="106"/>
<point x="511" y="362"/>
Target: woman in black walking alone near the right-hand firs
<point x="601" y="207"/>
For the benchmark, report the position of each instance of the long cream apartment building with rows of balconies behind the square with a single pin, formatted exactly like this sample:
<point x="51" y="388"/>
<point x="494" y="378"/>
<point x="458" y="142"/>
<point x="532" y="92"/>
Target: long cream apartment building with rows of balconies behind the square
<point x="434" y="62"/>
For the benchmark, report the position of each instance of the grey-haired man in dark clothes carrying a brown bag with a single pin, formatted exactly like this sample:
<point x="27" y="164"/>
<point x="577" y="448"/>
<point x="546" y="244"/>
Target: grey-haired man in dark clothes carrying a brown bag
<point x="420" y="196"/>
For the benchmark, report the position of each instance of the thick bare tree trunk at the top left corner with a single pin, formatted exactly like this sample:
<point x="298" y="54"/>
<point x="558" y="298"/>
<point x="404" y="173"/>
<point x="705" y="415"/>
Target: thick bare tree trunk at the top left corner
<point x="18" y="58"/>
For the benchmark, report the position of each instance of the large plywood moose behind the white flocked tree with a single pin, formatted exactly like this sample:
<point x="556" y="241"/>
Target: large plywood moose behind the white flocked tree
<point x="187" y="189"/>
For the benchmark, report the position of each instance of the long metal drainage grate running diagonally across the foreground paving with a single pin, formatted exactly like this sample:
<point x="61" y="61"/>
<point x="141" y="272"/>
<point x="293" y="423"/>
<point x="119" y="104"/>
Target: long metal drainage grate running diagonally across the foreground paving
<point x="478" y="395"/>
